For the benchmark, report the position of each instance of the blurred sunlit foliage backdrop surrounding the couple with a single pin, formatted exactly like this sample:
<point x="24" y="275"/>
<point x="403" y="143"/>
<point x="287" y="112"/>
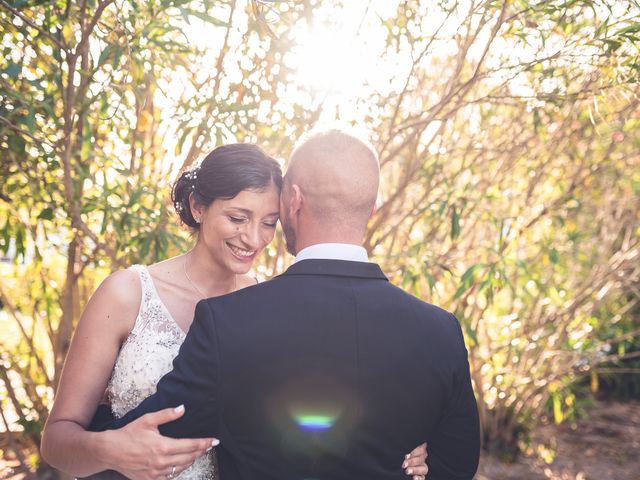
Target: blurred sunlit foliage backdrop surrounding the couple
<point x="509" y="141"/>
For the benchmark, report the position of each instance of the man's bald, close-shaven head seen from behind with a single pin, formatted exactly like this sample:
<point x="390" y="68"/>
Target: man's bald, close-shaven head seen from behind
<point x="338" y="176"/>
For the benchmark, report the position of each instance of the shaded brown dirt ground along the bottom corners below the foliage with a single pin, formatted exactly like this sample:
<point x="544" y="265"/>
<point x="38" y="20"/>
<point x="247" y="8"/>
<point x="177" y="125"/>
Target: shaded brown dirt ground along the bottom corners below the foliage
<point x="603" y="445"/>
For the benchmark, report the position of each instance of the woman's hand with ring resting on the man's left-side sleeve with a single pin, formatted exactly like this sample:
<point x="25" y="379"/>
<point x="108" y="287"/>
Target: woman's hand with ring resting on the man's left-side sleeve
<point x="140" y="452"/>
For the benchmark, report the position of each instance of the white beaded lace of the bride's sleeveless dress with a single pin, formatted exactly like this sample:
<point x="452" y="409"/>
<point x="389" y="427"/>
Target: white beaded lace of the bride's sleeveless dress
<point x="144" y="358"/>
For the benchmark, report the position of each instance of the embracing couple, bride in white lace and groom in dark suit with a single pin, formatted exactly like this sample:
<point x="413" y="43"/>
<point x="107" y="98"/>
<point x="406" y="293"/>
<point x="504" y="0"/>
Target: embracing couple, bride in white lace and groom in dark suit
<point x="326" y="371"/>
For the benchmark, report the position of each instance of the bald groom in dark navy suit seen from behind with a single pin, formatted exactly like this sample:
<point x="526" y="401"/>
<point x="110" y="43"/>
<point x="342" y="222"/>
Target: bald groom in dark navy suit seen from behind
<point x="327" y="371"/>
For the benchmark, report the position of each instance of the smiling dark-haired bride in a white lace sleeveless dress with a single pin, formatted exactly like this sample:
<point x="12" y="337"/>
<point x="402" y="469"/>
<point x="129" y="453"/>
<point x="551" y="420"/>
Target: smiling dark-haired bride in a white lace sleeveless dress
<point x="135" y="322"/>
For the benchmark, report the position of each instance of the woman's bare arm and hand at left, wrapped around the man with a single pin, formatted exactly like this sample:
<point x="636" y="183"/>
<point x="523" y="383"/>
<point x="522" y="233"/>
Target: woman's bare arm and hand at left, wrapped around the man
<point x="137" y="451"/>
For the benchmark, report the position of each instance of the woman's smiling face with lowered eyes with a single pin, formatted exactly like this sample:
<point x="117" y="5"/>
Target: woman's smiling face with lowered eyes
<point x="235" y="231"/>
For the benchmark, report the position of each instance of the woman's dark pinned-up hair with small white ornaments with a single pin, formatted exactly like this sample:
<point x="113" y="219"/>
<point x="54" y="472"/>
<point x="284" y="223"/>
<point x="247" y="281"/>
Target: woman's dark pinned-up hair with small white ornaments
<point x="224" y="173"/>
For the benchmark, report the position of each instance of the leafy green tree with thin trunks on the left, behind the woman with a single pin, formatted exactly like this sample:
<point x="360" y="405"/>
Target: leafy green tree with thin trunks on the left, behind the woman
<point x="89" y="148"/>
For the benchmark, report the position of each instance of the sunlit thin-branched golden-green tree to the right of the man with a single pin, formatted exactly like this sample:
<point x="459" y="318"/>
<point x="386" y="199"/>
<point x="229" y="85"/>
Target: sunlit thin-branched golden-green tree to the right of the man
<point x="508" y="193"/>
